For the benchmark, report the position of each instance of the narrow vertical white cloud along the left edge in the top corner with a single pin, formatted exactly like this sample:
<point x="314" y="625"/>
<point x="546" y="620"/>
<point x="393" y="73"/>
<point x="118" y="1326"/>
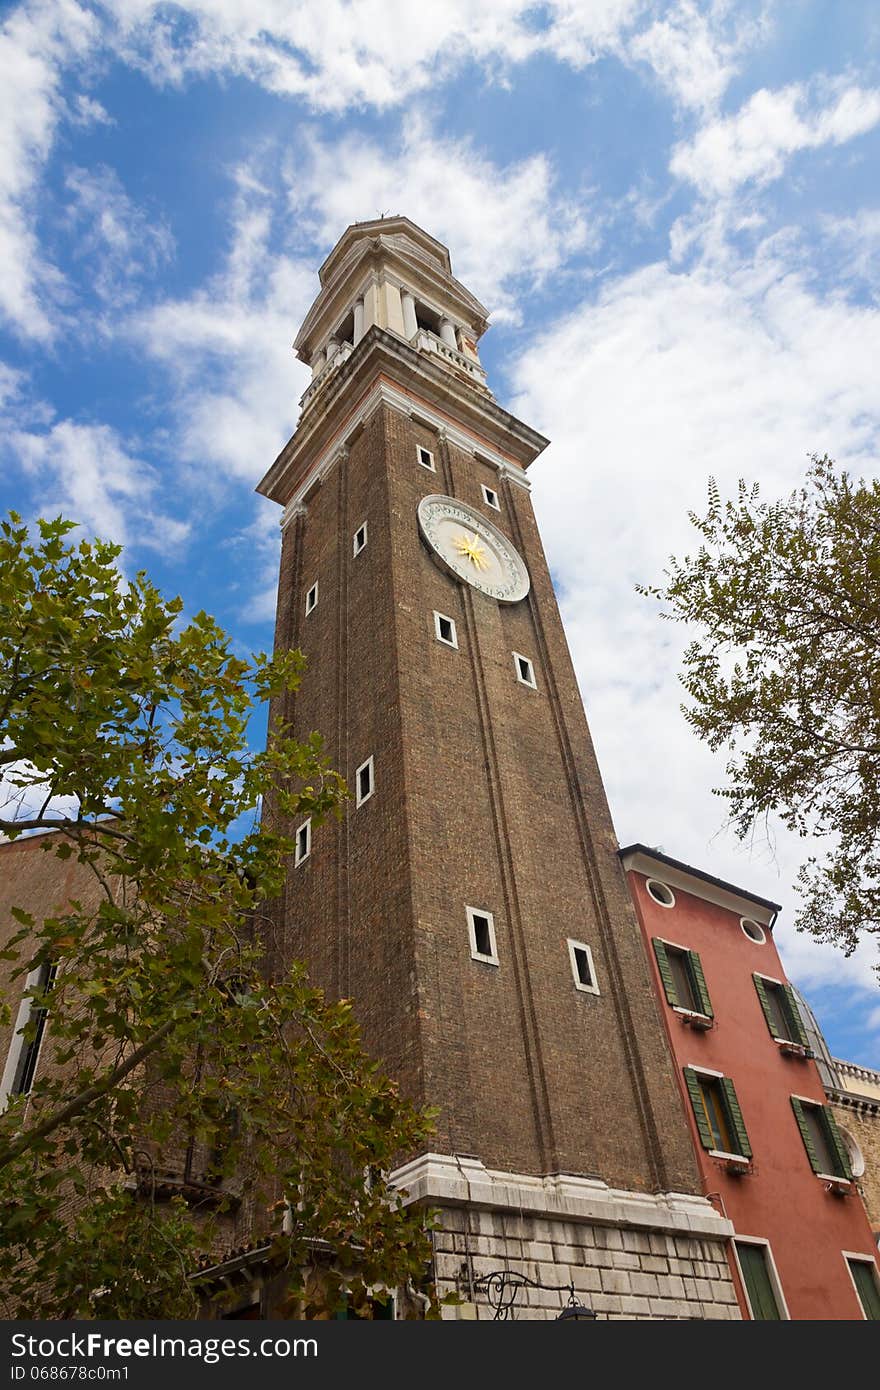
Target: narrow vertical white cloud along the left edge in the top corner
<point x="35" y="44"/>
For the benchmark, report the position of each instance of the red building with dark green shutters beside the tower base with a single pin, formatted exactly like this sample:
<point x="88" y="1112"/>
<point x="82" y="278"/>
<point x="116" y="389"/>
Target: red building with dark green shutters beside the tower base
<point x="769" y="1150"/>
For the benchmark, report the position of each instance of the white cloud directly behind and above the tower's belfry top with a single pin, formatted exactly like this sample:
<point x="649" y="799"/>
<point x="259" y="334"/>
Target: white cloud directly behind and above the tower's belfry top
<point x="510" y="227"/>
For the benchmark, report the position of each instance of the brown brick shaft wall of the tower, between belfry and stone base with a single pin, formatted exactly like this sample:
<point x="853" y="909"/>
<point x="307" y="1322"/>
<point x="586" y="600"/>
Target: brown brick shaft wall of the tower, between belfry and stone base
<point x="487" y="796"/>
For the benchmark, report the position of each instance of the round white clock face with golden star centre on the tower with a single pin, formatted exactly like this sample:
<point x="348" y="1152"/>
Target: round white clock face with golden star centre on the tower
<point x="476" y="551"/>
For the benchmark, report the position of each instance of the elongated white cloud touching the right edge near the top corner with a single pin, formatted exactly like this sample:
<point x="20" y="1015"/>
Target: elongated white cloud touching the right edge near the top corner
<point x="756" y="144"/>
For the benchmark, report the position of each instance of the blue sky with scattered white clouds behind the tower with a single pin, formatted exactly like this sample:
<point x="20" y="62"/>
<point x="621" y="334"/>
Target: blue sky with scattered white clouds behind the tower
<point x="671" y="211"/>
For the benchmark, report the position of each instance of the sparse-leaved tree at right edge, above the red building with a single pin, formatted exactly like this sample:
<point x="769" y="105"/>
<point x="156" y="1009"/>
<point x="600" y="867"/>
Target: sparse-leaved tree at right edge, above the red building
<point x="785" y="675"/>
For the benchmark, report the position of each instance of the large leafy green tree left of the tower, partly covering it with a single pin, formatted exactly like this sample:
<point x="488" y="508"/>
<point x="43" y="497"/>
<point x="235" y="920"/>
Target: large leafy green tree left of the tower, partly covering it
<point x="173" y="1027"/>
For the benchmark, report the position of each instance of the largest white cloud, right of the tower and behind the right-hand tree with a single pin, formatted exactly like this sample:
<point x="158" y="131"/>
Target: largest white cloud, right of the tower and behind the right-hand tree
<point x="662" y="382"/>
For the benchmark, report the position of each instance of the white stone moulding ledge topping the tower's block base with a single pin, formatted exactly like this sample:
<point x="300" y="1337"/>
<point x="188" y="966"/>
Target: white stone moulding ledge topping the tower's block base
<point x="466" y="1182"/>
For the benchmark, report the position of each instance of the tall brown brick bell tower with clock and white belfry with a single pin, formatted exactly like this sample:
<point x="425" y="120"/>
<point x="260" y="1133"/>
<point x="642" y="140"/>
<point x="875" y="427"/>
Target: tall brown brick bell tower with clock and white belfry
<point x="471" y="903"/>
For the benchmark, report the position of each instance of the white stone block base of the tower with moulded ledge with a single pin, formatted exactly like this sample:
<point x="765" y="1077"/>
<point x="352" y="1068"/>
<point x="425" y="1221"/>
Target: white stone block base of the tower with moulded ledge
<point x="625" y="1254"/>
